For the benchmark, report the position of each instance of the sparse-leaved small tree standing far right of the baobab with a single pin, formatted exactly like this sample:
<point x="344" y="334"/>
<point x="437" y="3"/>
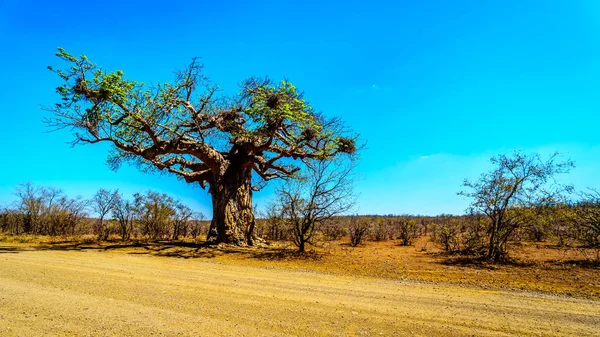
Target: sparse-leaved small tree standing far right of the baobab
<point x="506" y="194"/>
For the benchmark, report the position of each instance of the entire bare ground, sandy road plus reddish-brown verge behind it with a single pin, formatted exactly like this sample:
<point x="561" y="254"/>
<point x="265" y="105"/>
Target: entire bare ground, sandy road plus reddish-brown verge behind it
<point x="377" y="289"/>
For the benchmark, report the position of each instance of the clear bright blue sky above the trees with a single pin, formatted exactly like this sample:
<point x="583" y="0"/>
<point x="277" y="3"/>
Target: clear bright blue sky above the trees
<point x="434" y="87"/>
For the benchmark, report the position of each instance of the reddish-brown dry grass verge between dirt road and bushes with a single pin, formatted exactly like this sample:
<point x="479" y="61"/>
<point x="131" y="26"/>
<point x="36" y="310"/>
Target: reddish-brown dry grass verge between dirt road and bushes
<point x="537" y="267"/>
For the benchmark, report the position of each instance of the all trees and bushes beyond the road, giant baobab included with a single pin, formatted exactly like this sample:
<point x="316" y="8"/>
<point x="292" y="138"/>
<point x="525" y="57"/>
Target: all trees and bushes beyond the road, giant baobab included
<point x="234" y="145"/>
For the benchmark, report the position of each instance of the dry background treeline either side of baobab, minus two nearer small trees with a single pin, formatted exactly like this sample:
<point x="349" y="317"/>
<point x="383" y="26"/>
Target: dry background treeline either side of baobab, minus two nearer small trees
<point x="155" y="216"/>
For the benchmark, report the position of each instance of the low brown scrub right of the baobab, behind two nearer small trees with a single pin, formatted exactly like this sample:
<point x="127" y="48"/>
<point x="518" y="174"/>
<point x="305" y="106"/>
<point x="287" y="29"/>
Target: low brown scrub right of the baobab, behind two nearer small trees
<point x="577" y="224"/>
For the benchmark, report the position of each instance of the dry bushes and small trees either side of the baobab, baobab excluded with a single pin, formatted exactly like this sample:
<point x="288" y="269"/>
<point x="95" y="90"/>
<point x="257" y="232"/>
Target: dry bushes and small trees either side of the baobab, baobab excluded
<point x="516" y="204"/>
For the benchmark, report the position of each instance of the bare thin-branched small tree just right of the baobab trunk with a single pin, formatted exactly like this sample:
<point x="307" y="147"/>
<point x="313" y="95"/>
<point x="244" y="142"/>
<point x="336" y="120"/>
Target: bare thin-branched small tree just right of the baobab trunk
<point x="325" y="191"/>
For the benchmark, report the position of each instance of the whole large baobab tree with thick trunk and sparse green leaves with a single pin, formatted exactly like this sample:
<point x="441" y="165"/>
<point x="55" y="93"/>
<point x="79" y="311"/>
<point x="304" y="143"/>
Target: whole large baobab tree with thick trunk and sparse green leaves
<point x="232" y="145"/>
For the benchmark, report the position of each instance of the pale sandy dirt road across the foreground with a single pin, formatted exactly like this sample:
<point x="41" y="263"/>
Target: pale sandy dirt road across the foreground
<point x="92" y="293"/>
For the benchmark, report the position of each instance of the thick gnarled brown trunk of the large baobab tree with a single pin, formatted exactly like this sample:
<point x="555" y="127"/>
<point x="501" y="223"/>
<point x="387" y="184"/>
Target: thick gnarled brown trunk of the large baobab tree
<point x="233" y="219"/>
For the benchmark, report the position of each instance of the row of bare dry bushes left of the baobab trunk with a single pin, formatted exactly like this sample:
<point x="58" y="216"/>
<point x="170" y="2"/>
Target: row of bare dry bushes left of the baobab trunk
<point x="48" y="211"/>
